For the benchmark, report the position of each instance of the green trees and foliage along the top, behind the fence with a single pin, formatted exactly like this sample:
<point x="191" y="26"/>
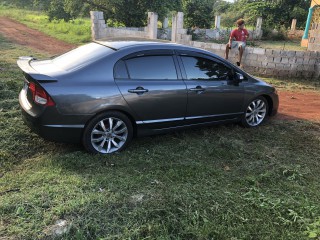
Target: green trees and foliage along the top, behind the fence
<point x="198" y="13"/>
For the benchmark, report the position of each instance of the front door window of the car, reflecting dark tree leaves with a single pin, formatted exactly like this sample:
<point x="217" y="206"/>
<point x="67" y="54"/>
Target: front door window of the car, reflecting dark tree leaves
<point x="198" y="68"/>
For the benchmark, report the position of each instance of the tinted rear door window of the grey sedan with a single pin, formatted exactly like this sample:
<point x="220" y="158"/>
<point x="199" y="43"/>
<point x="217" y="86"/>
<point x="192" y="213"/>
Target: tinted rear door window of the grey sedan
<point x="151" y="67"/>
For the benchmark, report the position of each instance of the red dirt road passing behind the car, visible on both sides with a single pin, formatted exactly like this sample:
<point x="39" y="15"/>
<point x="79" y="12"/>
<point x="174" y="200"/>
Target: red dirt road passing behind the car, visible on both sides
<point x="293" y="105"/>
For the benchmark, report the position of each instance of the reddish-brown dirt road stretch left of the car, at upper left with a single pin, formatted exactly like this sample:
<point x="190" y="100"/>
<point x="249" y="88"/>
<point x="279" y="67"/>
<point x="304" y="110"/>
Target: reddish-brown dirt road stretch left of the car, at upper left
<point x="22" y="35"/>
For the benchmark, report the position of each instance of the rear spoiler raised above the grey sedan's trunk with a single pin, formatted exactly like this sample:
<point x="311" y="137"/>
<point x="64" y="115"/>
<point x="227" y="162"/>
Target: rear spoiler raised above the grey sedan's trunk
<point x="25" y="66"/>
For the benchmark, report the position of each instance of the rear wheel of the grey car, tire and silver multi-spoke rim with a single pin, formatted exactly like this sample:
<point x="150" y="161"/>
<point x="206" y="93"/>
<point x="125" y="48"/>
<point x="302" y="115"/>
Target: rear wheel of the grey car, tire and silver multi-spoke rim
<point x="107" y="133"/>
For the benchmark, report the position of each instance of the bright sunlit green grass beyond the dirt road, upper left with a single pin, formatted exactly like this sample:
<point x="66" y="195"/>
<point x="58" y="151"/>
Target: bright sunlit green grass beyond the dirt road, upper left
<point x="77" y="31"/>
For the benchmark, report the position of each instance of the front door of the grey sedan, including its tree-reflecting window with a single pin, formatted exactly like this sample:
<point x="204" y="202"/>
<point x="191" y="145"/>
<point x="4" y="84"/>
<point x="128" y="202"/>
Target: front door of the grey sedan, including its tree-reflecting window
<point x="212" y="93"/>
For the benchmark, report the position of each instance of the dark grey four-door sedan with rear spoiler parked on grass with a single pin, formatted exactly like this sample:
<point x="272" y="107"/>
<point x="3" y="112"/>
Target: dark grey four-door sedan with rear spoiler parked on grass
<point x="104" y="93"/>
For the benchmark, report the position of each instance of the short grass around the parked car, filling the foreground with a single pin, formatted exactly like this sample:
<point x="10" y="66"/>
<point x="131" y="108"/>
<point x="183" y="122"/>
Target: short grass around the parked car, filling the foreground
<point x="221" y="182"/>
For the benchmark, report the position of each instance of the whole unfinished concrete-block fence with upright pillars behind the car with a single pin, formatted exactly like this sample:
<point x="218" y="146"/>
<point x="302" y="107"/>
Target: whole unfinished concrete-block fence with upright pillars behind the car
<point x="265" y="62"/>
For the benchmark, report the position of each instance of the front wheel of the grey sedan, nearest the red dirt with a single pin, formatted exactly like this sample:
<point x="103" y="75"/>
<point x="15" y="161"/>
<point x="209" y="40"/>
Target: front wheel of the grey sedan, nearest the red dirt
<point x="256" y="112"/>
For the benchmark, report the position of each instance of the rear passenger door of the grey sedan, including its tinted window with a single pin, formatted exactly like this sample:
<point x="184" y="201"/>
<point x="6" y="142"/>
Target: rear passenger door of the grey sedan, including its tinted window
<point x="151" y="83"/>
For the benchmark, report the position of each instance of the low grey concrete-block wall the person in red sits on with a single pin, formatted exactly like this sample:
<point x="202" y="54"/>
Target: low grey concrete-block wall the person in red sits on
<point x="268" y="62"/>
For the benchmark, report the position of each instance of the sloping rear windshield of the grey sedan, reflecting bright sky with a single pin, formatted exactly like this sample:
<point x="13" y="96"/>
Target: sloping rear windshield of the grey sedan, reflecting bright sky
<point x="81" y="56"/>
